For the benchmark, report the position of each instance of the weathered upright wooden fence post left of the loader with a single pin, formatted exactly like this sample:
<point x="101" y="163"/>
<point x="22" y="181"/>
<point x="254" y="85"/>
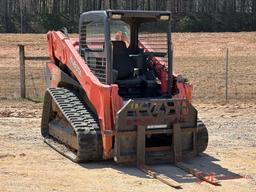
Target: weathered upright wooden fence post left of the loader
<point x="22" y="72"/>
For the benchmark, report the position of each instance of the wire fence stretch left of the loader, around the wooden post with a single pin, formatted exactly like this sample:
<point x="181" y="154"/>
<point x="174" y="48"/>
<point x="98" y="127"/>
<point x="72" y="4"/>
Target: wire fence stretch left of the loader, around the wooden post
<point x="35" y="72"/>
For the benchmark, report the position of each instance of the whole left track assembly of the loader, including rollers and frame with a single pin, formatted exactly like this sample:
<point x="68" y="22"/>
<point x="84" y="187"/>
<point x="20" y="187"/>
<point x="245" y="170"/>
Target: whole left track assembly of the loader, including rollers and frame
<point x="69" y="127"/>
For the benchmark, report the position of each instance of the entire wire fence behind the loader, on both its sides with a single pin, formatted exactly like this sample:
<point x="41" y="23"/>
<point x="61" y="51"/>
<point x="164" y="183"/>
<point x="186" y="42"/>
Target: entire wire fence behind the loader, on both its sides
<point x="210" y="76"/>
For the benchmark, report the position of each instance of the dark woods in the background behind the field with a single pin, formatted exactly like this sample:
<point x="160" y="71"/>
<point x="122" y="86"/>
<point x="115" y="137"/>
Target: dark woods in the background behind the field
<point x="188" y="15"/>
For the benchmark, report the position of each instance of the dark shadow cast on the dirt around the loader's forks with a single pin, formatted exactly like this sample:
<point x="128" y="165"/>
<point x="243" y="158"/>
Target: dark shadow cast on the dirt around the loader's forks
<point x="204" y="163"/>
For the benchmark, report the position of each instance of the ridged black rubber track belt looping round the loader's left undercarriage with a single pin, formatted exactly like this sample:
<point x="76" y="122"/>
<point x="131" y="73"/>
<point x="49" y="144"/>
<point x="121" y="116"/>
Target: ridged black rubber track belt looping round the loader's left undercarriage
<point x="83" y="121"/>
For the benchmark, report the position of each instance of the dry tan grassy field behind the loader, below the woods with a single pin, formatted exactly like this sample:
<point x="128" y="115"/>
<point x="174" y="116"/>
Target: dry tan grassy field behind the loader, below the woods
<point x="199" y="56"/>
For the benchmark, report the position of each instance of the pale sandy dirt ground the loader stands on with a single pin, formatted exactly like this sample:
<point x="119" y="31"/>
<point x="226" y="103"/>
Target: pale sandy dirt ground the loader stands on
<point x="28" y="164"/>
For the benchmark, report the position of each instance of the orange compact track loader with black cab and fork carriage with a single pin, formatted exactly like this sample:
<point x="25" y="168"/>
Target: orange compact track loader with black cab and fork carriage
<point x="113" y="93"/>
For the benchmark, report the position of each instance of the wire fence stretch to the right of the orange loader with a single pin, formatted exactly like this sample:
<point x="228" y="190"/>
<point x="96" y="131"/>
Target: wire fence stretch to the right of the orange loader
<point x="223" y="77"/>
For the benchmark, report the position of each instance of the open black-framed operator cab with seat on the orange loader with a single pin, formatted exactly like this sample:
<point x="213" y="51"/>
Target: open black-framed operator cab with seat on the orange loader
<point x="124" y="49"/>
